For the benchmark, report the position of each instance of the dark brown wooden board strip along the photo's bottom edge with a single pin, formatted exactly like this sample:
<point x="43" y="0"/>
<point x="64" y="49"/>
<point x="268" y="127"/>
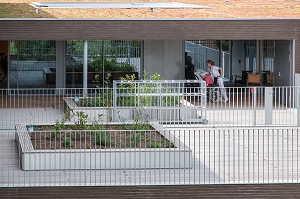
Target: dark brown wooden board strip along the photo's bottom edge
<point x="224" y="191"/>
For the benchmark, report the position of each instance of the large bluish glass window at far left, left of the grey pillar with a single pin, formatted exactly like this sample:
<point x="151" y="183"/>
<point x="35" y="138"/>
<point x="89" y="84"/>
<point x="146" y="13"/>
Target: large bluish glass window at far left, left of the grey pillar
<point x="29" y="62"/>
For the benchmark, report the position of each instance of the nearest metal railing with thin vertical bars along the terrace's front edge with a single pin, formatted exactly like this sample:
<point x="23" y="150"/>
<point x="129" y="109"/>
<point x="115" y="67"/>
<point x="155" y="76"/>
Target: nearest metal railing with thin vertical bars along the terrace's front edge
<point x="146" y="157"/>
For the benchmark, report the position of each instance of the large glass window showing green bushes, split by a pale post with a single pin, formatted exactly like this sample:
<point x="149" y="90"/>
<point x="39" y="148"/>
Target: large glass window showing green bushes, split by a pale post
<point x="110" y="57"/>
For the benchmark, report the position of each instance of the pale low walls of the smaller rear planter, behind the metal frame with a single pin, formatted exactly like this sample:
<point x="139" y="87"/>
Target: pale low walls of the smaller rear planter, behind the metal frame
<point x="184" y="112"/>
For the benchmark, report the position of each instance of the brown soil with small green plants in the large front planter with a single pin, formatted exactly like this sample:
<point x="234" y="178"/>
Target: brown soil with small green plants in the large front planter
<point x="113" y="137"/>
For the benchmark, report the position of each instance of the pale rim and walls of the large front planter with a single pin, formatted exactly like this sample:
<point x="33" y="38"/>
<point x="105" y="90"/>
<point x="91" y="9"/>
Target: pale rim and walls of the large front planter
<point x="180" y="156"/>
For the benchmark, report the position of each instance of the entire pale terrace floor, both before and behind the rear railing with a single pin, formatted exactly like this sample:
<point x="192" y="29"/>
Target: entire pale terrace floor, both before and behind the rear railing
<point x="227" y="157"/>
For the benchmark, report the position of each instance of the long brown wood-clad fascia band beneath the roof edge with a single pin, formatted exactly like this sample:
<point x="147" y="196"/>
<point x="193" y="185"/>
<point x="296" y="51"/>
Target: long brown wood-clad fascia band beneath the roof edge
<point x="153" y="29"/>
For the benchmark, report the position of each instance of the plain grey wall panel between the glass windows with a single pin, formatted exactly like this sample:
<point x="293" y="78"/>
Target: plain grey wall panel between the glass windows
<point x="165" y="58"/>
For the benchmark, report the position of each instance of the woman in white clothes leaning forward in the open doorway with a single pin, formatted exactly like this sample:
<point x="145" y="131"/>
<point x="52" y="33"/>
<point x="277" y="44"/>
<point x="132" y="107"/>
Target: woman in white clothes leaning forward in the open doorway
<point x="216" y="74"/>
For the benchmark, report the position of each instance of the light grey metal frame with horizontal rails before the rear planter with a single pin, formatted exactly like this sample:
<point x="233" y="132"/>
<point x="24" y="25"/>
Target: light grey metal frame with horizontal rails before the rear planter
<point x="168" y="101"/>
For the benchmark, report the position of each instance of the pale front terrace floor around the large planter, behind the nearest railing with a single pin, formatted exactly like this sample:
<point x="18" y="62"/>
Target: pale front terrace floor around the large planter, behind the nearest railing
<point x="231" y="157"/>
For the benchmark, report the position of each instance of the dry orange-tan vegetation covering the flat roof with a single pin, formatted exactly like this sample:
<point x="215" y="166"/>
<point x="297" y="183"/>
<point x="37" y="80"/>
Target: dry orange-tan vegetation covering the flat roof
<point x="219" y="9"/>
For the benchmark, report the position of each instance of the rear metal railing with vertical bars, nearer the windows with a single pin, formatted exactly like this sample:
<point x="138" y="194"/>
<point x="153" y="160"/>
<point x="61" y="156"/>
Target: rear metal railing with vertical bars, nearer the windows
<point x="182" y="105"/>
